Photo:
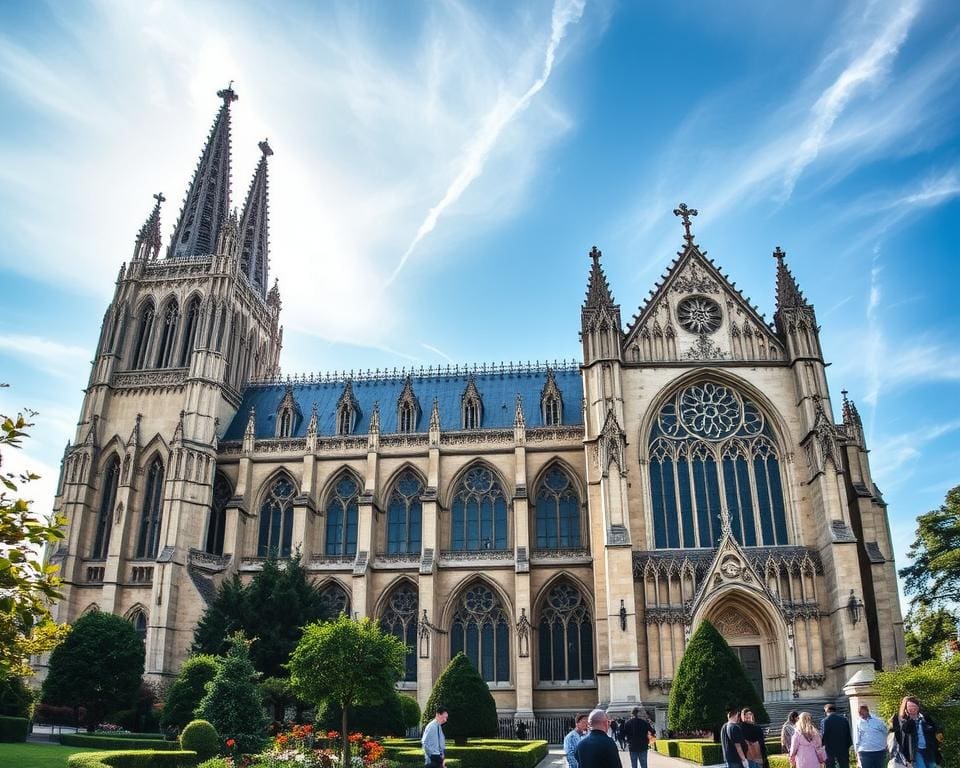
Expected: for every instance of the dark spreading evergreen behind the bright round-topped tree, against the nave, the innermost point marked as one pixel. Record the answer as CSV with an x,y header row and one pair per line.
x,y
272,609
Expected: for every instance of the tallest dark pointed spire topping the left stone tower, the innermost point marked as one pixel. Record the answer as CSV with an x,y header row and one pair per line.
x,y
208,198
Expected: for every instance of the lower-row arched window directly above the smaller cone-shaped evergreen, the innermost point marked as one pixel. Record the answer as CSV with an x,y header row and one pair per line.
x,y
481,630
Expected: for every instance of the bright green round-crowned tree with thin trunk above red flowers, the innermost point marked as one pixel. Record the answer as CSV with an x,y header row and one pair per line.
x,y
347,663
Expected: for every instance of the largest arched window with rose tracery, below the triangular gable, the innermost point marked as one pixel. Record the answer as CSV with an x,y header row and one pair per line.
x,y
713,456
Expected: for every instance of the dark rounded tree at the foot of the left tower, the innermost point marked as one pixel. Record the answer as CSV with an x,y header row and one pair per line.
x,y
99,666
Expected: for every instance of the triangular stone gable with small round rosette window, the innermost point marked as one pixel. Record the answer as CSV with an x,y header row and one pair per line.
x,y
695,313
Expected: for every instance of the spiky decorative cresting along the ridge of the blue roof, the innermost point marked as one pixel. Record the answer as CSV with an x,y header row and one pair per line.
x,y
422,372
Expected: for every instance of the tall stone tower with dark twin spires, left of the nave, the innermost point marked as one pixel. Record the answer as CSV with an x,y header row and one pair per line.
x,y
181,338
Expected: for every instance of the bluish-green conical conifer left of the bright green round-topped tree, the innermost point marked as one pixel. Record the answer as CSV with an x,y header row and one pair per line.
x,y
232,702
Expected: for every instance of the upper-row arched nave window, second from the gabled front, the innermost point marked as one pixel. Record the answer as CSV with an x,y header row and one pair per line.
x,y
479,518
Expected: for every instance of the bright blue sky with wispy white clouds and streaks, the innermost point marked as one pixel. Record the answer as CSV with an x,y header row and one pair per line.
x,y
442,170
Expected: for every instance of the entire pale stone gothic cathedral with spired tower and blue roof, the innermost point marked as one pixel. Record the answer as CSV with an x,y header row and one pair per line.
x,y
566,526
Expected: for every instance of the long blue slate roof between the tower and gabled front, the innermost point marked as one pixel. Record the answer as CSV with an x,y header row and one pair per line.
x,y
498,387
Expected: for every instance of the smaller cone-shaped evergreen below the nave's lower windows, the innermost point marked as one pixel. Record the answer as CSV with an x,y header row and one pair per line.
x,y
473,711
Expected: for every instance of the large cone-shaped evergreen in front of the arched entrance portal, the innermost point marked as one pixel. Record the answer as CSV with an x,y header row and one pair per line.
x,y
709,678
